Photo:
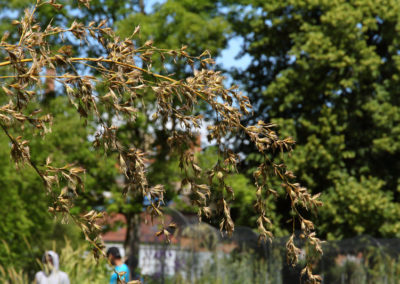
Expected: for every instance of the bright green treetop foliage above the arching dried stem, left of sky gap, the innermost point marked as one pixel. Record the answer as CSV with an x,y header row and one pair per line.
x,y
174,24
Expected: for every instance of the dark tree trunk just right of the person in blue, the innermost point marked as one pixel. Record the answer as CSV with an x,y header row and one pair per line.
x,y
132,242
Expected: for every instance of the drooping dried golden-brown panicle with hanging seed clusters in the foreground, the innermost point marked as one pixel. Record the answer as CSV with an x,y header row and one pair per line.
x,y
127,84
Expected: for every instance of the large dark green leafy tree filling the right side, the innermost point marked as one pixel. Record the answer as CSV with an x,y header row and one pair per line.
x,y
329,72
